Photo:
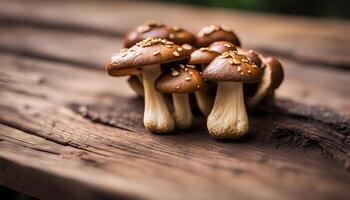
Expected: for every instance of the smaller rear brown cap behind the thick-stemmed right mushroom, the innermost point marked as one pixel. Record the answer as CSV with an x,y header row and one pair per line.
x,y
213,33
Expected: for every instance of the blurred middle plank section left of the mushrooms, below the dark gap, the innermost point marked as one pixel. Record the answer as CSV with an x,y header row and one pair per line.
x,y
58,45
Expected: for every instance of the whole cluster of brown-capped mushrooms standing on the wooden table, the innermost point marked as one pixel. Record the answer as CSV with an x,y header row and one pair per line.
x,y
224,77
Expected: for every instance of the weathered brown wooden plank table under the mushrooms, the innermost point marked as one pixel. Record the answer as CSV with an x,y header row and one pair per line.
x,y
55,101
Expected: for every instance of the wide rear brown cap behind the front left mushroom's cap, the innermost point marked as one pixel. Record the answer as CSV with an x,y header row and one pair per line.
x,y
158,30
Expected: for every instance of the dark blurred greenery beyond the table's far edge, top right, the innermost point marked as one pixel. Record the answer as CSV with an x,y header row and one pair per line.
x,y
317,8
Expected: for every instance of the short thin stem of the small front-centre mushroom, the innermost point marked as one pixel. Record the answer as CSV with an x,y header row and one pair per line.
x,y
182,111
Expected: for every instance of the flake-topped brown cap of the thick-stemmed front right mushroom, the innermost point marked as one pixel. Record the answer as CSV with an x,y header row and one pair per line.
x,y
232,66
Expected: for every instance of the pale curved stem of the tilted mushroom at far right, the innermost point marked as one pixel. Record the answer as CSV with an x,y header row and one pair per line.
x,y
263,89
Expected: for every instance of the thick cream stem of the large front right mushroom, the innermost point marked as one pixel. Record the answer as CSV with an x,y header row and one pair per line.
x,y
228,118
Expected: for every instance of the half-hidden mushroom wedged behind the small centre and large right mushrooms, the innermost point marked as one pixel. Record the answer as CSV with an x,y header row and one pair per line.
x,y
203,57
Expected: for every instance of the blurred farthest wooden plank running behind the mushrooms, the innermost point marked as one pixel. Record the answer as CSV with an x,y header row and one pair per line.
x,y
303,39
